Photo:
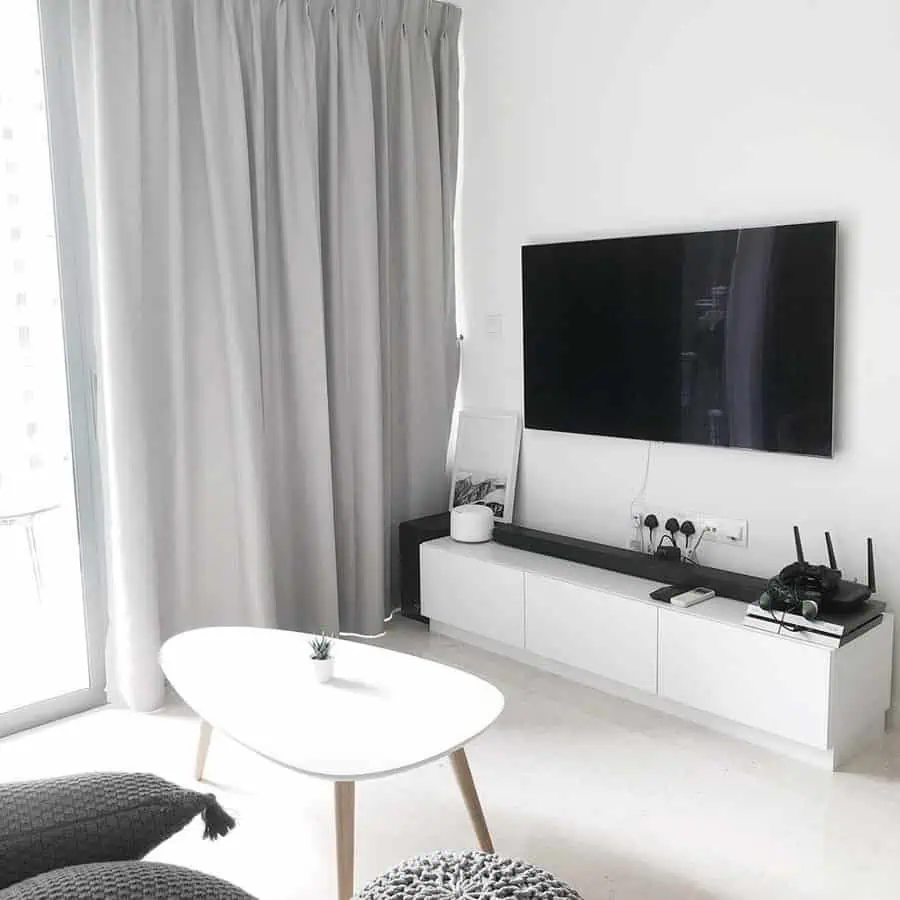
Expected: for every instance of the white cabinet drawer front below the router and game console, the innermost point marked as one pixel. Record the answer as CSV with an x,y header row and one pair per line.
x,y
756,679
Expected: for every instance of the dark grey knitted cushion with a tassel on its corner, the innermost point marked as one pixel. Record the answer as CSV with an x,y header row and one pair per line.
x,y
97,817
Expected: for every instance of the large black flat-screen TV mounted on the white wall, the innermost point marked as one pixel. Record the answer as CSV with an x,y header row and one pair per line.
x,y
723,338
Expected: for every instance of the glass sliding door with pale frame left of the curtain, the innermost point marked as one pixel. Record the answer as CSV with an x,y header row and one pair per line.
x,y
50,577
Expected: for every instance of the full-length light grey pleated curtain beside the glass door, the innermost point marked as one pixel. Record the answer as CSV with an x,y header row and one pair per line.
x,y
269,189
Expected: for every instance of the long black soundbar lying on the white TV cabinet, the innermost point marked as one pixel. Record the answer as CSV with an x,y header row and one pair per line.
x,y
746,588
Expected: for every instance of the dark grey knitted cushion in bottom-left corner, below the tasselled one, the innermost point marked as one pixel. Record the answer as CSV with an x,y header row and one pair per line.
x,y
124,881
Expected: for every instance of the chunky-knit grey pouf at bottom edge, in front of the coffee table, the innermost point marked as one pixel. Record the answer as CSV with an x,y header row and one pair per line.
x,y
465,876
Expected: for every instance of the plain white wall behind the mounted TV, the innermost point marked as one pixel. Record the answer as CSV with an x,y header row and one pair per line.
x,y
588,118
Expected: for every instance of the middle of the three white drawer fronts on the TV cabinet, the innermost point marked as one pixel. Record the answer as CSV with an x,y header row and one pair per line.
x,y
601,633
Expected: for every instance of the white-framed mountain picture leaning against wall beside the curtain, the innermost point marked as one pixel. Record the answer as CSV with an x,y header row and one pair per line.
x,y
486,461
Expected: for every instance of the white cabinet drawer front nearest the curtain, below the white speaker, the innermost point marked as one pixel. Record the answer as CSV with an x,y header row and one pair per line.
x,y
481,597
